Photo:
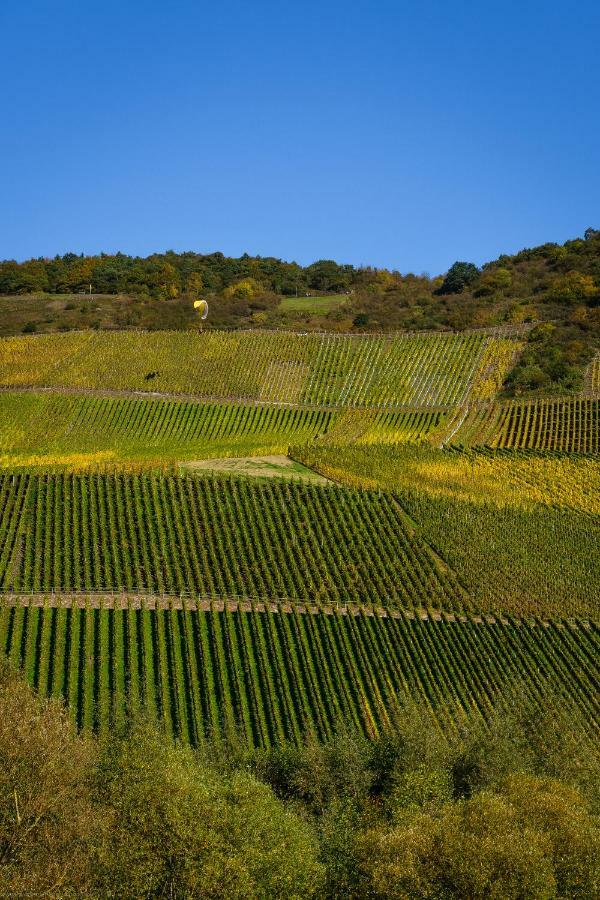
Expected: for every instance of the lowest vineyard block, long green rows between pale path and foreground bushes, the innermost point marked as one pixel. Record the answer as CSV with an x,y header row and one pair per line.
x,y
273,678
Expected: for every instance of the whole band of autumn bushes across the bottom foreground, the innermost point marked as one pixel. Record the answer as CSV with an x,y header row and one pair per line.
x,y
510,811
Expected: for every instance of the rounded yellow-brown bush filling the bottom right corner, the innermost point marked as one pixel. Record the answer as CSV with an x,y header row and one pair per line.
x,y
532,838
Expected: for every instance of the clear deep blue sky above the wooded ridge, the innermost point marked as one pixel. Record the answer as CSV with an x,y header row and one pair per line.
x,y
382,132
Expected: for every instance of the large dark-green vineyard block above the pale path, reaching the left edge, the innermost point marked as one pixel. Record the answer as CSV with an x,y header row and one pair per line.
x,y
214,536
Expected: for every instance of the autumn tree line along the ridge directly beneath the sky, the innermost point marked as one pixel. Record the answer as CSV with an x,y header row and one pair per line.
x,y
576,265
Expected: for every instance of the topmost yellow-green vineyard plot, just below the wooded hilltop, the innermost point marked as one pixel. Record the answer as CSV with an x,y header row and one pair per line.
x,y
333,370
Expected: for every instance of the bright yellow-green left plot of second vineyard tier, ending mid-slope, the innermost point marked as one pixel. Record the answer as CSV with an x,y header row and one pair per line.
x,y
55,429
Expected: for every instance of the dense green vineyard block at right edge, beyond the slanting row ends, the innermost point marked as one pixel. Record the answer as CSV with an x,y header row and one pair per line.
x,y
526,561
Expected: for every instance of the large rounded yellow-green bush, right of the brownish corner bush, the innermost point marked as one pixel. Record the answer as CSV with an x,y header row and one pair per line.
x,y
180,829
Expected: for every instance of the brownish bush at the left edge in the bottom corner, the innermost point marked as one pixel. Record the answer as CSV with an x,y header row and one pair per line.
x,y
49,825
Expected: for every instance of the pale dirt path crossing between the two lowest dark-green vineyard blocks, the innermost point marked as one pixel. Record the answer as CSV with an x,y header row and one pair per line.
x,y
114,600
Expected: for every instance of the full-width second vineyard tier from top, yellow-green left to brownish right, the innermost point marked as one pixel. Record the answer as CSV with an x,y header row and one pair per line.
x,y
82,430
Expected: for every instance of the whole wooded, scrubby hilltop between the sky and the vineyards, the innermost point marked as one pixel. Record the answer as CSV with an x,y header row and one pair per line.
x,y
556,285
